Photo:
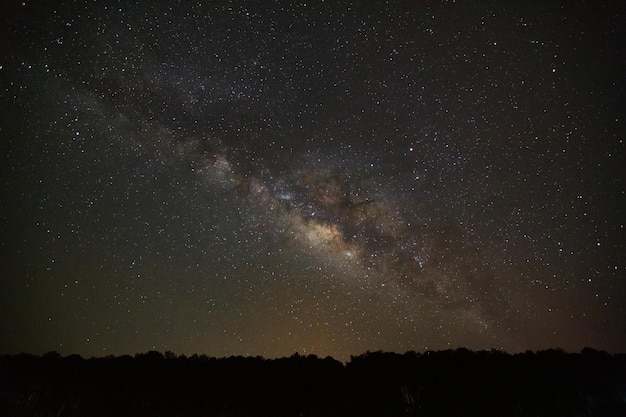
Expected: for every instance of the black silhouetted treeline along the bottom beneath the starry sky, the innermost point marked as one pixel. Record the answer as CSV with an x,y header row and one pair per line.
x,y
449,383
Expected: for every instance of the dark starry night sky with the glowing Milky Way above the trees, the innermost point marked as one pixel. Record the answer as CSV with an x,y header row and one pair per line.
x,y
261,178
